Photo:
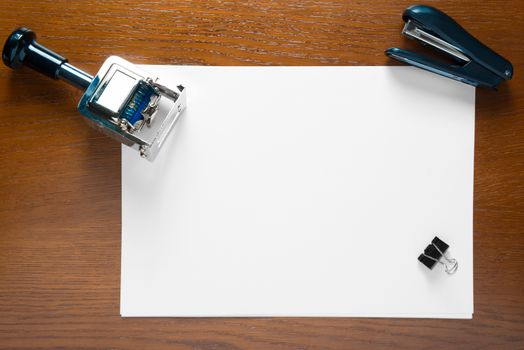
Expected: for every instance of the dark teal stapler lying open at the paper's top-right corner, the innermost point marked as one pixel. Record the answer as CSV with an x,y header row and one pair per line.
x,y
475,63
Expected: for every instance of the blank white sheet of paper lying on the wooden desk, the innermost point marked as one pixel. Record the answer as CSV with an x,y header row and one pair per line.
x,y
303,191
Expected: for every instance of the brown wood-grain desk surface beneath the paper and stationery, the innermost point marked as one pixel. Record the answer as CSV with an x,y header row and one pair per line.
x,y
60,180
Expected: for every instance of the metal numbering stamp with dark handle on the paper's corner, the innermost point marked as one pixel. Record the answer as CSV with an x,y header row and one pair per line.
x,y
122,100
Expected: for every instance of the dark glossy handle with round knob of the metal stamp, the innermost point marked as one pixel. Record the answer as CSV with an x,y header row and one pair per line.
x,y
21,48
